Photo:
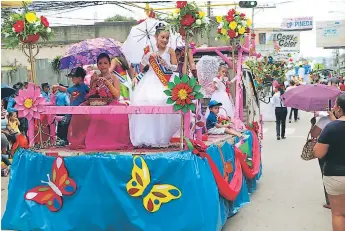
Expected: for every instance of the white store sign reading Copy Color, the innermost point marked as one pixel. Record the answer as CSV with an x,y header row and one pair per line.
x,y
284,41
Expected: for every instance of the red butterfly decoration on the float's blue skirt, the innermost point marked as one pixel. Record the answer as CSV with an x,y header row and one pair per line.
x,y
51,195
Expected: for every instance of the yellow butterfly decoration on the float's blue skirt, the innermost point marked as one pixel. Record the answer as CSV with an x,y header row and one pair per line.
x,y
153,195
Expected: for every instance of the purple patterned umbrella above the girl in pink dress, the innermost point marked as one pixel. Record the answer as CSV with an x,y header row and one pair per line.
x,y
86,52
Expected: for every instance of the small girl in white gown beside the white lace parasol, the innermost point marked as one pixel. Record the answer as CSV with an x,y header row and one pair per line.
x,y
220,95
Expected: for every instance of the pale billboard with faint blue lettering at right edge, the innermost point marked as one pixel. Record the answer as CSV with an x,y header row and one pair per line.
x,y
330,34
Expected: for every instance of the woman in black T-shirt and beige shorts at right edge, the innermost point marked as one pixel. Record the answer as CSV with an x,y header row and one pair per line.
x,y
330,146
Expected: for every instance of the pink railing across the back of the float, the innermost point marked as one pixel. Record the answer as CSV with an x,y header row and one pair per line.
x,y
52,111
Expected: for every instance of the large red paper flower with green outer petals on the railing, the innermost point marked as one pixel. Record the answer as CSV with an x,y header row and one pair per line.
x,y
182,92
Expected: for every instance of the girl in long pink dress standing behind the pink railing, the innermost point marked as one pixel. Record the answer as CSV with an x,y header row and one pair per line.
x,y
101,132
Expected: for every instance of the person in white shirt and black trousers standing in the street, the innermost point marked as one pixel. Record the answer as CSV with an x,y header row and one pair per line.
x,y
280,112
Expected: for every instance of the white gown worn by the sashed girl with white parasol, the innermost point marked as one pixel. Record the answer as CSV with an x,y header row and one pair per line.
x,y
152,130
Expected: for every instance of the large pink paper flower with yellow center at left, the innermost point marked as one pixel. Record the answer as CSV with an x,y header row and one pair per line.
x,y
29,102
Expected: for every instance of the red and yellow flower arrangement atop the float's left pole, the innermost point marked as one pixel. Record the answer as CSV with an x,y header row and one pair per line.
x,y
25,28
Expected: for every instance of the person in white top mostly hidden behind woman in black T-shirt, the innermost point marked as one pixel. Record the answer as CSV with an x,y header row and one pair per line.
x,y
325,118
